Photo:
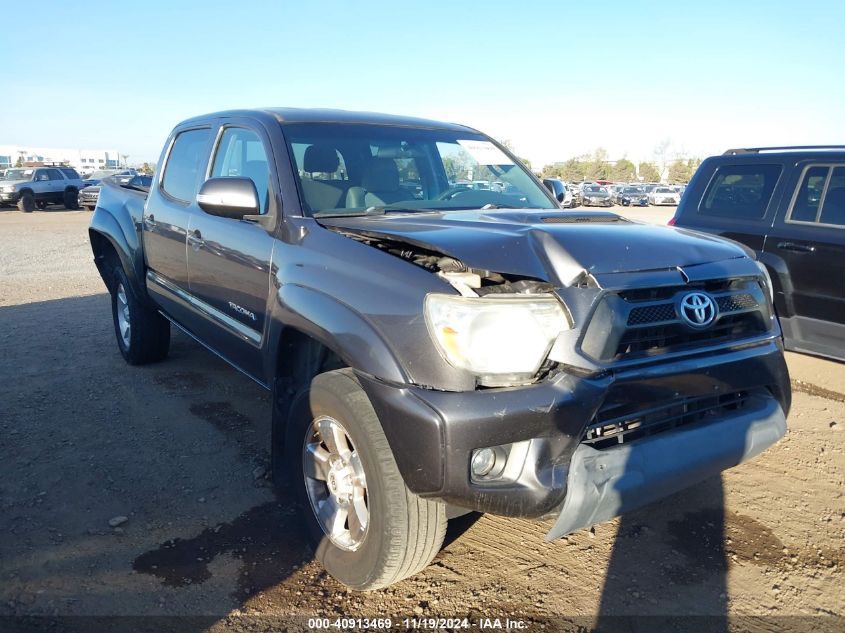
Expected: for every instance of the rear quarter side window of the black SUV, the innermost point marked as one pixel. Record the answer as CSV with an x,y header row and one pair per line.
x,y
741,192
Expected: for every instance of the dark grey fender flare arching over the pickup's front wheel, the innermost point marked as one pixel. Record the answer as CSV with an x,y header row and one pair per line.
x,y
336,326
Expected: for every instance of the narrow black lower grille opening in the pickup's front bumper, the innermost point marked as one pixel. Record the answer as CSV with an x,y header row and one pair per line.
x,y
621,424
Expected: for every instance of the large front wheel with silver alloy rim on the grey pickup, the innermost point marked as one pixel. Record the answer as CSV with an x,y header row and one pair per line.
x,y
403,531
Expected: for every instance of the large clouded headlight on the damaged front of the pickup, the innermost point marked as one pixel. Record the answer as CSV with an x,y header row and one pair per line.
x,y
503,340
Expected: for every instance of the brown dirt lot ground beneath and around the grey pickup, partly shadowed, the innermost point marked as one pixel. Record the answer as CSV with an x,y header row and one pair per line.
x,y
179,449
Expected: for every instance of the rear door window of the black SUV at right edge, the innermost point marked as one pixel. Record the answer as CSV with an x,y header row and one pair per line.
x,y
820,198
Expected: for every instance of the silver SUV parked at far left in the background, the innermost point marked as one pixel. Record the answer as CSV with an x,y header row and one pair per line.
x,y
36,187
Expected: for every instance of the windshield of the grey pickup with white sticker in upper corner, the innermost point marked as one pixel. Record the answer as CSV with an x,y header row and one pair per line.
x,y
345,169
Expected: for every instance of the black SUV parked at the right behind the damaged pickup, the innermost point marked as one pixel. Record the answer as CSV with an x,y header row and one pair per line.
x,y
788,205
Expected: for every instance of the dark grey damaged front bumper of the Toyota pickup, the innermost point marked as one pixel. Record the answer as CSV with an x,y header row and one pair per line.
x,y
433,435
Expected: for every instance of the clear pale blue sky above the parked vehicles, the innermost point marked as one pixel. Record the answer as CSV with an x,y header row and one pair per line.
x,y
558,79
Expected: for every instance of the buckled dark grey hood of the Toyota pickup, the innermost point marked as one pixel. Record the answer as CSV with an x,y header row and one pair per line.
x,y
545,244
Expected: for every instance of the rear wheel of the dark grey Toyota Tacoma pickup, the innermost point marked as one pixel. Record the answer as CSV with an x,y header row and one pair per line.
x,y
143,335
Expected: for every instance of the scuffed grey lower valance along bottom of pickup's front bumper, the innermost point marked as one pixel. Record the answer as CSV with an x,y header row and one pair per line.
x,y
603,484
